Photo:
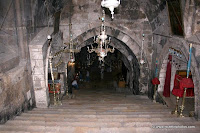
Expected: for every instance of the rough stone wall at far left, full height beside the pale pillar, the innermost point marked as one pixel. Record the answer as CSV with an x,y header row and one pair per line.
x,y
19,23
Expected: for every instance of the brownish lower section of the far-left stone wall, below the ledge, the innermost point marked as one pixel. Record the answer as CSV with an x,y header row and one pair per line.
x,y
16,93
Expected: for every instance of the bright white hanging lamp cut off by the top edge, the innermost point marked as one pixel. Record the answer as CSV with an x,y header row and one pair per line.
x,y
111,4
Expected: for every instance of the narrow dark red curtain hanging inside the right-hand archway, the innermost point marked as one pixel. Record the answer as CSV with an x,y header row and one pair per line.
x,y
166,91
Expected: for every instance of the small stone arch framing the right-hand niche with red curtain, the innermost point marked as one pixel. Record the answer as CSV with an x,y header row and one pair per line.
x,y
184,47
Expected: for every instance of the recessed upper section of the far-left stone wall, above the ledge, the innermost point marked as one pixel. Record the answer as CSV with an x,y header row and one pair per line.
x,y
8,36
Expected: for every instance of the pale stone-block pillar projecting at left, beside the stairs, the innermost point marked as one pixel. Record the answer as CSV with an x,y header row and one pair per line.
x,y
38,54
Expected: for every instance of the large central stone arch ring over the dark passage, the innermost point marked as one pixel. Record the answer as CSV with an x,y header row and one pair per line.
x,y
131,47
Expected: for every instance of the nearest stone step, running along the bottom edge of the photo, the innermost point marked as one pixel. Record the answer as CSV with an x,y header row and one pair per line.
x,y
101,130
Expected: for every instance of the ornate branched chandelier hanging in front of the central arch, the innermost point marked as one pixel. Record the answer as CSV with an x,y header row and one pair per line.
x,y
102,40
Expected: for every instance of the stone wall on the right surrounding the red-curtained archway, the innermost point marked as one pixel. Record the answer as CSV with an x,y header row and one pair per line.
x,y
163,39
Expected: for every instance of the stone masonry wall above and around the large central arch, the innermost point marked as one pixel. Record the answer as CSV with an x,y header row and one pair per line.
x,y
129,23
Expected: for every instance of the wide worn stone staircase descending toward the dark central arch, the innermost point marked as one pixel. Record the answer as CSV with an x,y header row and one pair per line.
x,y
101,111
